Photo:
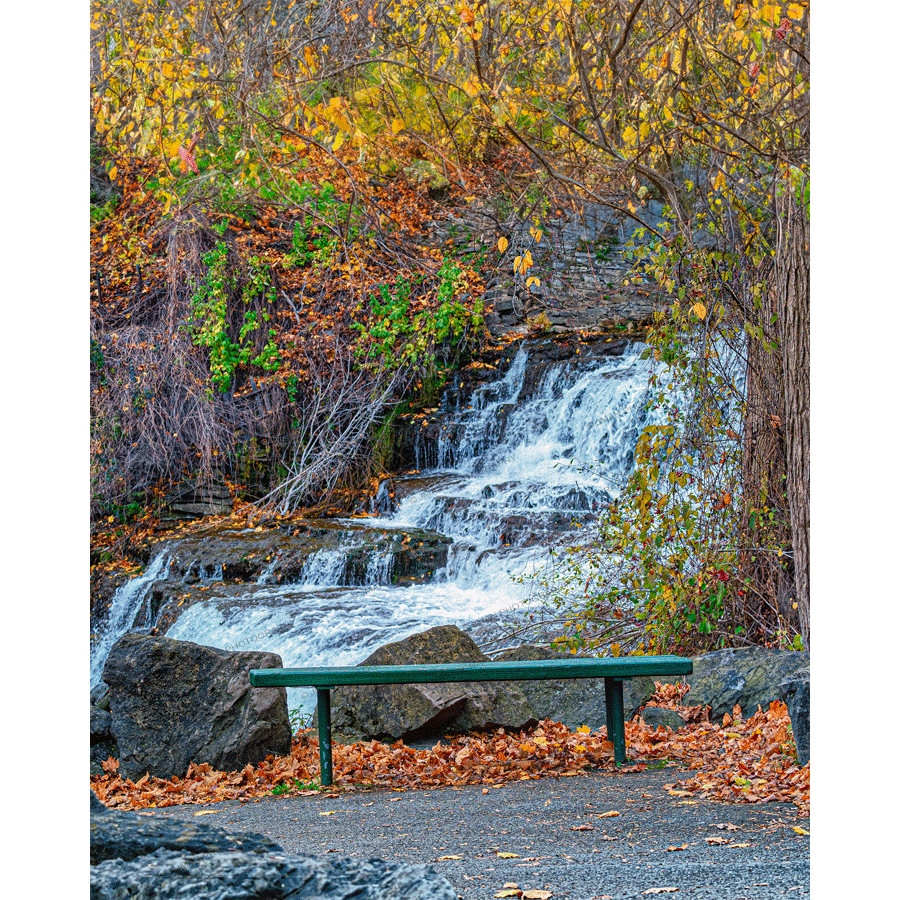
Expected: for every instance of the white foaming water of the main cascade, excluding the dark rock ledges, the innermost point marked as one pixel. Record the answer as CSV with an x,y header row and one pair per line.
x,y
514,470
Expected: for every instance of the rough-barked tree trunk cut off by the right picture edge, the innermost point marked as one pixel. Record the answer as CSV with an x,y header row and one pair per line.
x,y
792,298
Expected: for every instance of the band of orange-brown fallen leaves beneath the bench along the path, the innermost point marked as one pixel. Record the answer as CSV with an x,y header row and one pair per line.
x,y
741,761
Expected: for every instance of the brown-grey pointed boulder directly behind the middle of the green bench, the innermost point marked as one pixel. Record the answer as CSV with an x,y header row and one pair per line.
x,y
417,711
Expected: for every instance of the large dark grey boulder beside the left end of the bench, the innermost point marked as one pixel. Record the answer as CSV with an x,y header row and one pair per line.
x,y
175,702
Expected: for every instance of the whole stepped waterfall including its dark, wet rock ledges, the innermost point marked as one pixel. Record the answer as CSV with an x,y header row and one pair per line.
x,y
516,456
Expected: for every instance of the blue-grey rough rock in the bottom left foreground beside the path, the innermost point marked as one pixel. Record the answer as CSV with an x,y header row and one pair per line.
x,y
158,859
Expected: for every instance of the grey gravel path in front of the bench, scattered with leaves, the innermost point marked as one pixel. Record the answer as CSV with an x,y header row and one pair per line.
x,y
560,835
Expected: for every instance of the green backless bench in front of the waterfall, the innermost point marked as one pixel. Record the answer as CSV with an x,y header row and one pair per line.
x,y
613,671
